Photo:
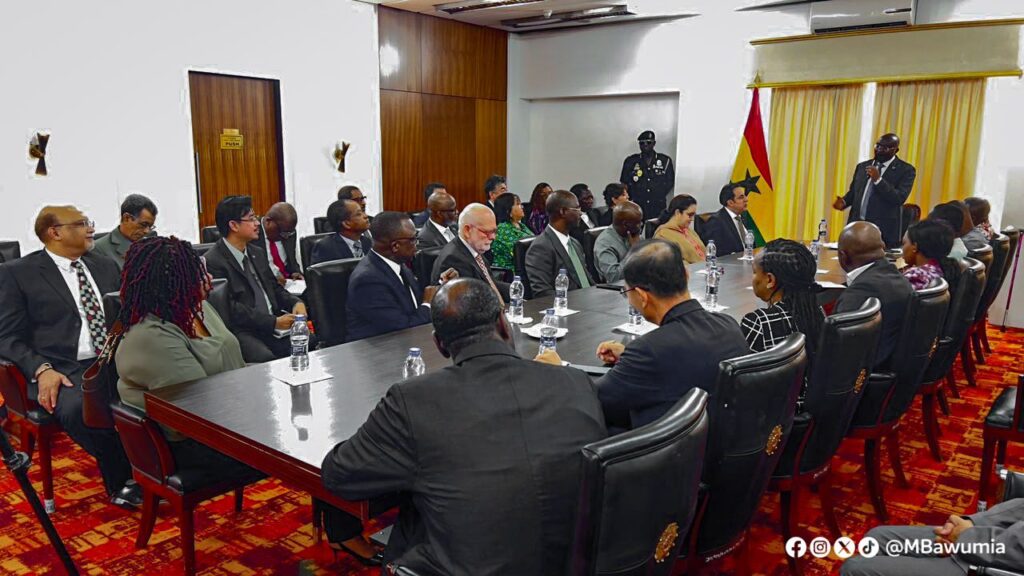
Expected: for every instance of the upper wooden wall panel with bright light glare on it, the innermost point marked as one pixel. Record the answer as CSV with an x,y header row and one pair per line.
x,y
400,36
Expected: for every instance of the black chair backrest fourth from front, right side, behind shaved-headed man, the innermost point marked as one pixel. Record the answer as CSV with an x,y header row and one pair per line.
x,y
923,323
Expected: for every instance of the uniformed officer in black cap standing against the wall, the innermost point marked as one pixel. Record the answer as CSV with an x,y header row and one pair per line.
x,y
650,177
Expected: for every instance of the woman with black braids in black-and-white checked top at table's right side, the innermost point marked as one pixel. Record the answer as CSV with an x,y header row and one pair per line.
x,y
784,277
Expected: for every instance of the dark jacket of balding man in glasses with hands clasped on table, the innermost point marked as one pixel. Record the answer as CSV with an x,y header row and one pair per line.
x,y
659,368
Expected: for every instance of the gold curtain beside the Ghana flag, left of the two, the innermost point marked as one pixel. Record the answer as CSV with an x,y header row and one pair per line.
x,y
815,134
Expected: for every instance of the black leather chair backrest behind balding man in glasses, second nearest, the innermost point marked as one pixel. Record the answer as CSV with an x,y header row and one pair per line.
x,y
752,414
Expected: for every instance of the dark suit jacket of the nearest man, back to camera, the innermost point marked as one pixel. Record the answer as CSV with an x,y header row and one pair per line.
x,y
489,452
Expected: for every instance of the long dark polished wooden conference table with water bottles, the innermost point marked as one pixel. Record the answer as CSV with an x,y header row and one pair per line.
x,y
286,431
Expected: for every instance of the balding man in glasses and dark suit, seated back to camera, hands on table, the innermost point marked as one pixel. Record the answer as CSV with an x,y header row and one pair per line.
x,y
659,368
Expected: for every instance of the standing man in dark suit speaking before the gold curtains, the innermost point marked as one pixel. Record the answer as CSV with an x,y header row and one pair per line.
x,y
879,189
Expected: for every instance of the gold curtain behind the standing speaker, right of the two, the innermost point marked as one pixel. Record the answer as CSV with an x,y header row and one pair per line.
x,y
940,128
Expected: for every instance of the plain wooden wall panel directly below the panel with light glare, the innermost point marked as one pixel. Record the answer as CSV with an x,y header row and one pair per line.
x,y
402,138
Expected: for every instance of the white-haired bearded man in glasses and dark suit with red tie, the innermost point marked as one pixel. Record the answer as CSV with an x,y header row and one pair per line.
x,y
468,255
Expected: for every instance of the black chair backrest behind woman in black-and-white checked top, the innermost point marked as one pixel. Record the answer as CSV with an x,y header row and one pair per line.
x,y
839,374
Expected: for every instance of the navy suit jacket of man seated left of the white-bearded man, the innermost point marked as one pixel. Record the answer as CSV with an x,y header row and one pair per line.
x,y
378,303
